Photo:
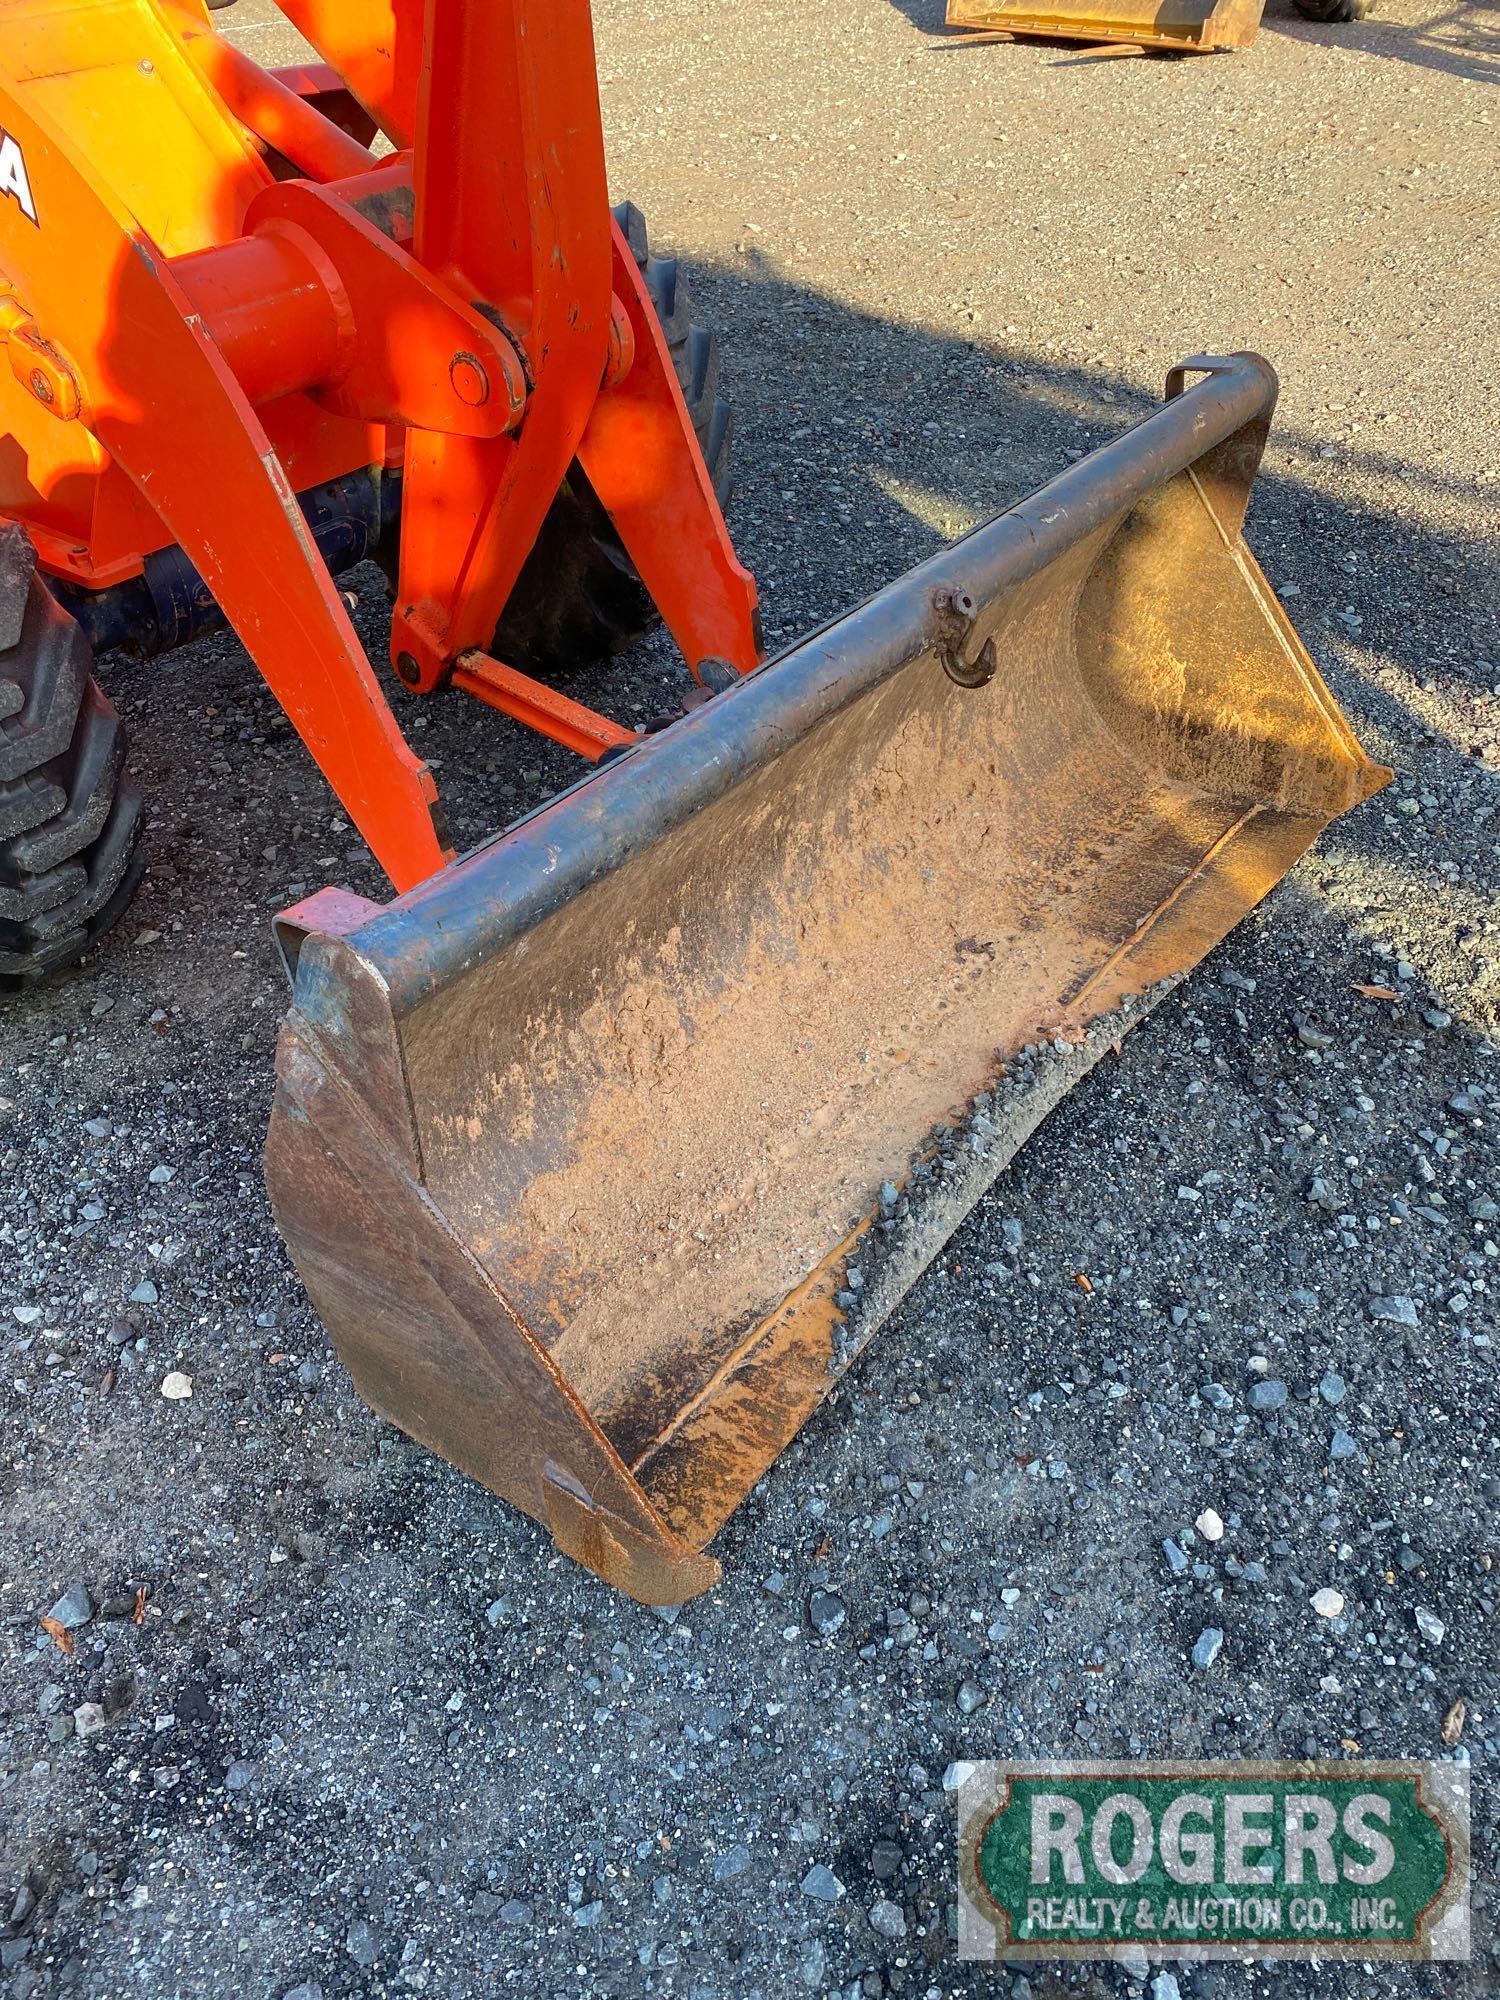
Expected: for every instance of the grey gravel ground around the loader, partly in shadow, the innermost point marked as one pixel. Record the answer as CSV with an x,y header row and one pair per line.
x,y
373,1735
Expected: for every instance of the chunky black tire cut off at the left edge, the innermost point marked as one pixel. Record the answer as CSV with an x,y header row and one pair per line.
x,y
69,809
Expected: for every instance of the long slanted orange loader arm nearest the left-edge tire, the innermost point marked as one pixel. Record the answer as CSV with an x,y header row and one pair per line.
x,y
163,401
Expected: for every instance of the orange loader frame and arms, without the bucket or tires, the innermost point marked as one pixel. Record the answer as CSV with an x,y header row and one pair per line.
x,y
219,297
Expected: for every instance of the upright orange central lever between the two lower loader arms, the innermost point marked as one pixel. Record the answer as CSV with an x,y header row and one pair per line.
x,y
511,209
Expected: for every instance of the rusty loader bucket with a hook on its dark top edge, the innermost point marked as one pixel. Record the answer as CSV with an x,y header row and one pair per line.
x,y
605,1151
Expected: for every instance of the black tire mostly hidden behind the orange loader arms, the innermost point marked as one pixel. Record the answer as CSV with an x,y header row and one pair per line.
x,y
579,597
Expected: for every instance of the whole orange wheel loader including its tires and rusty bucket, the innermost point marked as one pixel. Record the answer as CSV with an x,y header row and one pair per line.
x,y
605,1147
